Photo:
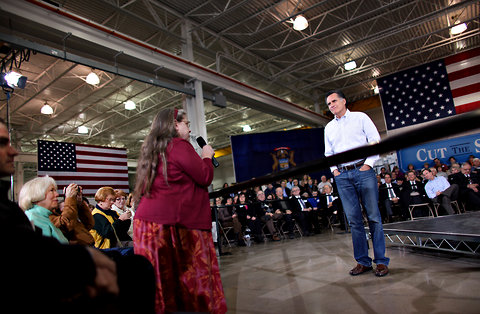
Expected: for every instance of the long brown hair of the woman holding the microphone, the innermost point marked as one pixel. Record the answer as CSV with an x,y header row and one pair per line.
x,y
155,145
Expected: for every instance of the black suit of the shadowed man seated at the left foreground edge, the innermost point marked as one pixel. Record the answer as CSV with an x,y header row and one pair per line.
x,y
30,261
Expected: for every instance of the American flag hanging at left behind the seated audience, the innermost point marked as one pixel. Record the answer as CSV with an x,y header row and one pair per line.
x,y
89,166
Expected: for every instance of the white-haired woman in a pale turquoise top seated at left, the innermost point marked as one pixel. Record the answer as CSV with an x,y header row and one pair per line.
x,y
38,197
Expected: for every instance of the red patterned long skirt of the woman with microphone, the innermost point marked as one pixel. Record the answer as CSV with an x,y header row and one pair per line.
x,y
186,267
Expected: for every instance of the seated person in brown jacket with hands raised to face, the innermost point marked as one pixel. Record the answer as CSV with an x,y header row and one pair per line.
x,y
74,218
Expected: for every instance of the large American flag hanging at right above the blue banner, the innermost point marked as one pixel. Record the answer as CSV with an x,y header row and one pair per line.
x,y
431,91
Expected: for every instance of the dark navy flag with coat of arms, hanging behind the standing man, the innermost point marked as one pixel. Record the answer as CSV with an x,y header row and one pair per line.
x,y
256,155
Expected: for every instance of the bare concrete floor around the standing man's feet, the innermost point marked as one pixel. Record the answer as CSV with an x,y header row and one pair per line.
x,y
310,275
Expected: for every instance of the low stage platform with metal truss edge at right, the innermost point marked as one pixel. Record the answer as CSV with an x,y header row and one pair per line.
x,y
456,233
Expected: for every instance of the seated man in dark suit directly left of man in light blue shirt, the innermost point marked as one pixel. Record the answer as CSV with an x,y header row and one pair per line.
x,y
413,192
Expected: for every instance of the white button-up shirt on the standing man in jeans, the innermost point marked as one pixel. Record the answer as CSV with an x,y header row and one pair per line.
x,y
353,130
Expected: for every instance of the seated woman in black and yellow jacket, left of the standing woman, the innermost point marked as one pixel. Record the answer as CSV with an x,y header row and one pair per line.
x,y
109,228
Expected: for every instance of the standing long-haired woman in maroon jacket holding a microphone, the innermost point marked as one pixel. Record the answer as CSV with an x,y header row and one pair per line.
x,y
172,225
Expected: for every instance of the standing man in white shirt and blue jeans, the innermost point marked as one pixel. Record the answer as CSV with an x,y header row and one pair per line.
x,y
349,130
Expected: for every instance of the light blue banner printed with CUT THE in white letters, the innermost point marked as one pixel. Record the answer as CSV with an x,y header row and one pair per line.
x,y
459,147
